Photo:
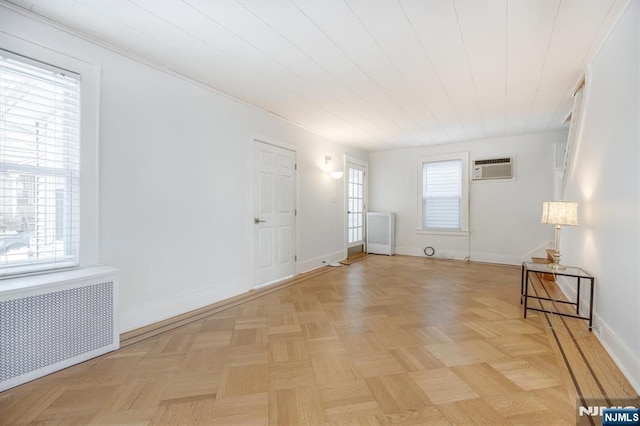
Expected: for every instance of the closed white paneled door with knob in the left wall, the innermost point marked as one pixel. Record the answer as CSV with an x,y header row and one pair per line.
x,y
274,219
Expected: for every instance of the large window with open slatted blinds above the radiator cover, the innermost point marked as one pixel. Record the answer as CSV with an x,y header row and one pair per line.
x,y
39,166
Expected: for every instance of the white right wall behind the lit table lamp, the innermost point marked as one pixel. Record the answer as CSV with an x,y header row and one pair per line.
x,y
606,183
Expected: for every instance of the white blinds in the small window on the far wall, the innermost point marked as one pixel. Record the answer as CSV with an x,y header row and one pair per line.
x,y
442,194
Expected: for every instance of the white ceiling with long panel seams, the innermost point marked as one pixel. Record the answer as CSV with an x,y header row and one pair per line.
x,y
374,74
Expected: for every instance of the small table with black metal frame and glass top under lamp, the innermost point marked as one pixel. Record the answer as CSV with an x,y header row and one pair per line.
x,y
568,271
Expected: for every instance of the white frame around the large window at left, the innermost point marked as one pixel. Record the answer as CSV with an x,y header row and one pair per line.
x,y
89,195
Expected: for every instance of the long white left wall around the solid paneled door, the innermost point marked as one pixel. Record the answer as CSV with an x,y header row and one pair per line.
x,y
175,172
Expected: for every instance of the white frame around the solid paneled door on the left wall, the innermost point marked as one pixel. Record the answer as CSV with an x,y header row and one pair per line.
x,y
251,193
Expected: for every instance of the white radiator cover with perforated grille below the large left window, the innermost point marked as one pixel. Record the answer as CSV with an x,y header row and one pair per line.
x,y
52,321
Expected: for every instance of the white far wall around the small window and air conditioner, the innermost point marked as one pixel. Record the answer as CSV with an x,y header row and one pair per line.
x,y
504,216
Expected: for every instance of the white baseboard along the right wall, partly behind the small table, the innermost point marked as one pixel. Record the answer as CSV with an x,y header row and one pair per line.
x,y
627,361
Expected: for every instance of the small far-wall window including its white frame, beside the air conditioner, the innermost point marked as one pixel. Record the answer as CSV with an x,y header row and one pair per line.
x,y
444,192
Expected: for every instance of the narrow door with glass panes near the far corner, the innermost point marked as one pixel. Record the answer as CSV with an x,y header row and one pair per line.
x,y
355,204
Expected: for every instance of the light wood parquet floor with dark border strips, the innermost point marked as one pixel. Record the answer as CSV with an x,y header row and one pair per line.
x,y
385,340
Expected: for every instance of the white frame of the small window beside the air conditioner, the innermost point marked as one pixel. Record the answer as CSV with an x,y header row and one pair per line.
x,y
464,199
